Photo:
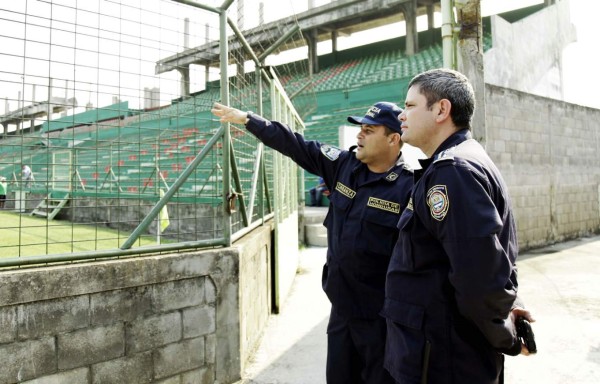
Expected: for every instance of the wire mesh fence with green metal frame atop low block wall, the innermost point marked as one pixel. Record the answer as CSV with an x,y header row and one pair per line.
x,y
107,144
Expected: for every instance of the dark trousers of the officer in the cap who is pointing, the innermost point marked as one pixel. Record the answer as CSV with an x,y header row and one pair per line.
x,y
355,349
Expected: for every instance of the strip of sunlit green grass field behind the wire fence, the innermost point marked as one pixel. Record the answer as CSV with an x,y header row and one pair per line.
x,y
22,235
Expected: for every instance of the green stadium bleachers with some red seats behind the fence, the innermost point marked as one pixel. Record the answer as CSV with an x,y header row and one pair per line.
x,y
129,152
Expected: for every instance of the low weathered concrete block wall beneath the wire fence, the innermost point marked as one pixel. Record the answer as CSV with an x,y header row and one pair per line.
x,y
183,318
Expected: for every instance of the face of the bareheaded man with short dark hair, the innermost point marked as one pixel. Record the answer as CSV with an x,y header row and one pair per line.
x,y
418,121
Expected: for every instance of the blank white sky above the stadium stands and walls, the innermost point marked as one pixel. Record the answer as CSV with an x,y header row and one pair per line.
x,y
122,32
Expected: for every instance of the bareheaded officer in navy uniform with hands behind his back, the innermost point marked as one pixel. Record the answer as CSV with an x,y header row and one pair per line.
x,y
451,288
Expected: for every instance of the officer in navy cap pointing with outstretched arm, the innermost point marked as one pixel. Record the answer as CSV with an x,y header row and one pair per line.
x,y
370,186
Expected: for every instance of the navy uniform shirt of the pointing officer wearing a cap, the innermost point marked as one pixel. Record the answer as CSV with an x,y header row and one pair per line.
x,y
361,221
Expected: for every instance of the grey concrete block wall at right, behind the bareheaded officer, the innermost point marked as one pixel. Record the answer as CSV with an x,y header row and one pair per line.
x,y
547,151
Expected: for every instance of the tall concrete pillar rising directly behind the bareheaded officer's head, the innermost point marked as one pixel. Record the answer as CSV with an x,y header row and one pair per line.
x,y
470,61
